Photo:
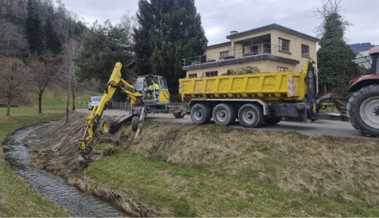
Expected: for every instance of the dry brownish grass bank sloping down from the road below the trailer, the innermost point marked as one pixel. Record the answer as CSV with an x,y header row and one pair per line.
x,y
343,168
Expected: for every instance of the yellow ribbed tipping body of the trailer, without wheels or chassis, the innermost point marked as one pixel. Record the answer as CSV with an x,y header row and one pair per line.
x,y
282,86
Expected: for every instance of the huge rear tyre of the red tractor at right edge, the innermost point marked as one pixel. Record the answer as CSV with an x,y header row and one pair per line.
x,y
363,108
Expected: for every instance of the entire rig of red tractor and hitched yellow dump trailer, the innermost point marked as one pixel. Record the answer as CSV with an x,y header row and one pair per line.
x,y
260,99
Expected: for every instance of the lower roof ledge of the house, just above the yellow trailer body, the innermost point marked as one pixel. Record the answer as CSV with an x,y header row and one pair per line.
x,y
241,60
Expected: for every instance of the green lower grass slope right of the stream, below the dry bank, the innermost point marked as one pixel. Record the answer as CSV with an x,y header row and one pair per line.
x,y
185,190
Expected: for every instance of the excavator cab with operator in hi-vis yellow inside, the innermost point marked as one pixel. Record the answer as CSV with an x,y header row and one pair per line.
x,y
156,95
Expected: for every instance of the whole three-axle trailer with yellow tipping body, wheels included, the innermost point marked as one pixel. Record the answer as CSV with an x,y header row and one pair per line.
x,y
253,99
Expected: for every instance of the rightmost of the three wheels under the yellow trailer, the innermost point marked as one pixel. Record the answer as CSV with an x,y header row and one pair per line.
x,y
250,116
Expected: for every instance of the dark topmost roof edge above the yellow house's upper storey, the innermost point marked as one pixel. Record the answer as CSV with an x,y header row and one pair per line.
x,y
273,27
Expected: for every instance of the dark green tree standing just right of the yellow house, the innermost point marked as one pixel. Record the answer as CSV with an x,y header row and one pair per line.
x,y
335,56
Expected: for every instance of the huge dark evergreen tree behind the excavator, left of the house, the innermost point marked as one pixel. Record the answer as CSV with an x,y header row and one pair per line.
x,y
169,30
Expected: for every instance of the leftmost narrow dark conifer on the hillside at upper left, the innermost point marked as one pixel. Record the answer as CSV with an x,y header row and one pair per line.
x,y
34,32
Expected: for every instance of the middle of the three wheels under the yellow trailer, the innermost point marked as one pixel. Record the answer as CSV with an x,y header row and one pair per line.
x,y
224,114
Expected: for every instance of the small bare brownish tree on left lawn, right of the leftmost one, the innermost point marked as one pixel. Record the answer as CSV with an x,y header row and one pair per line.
x,y
43,70
